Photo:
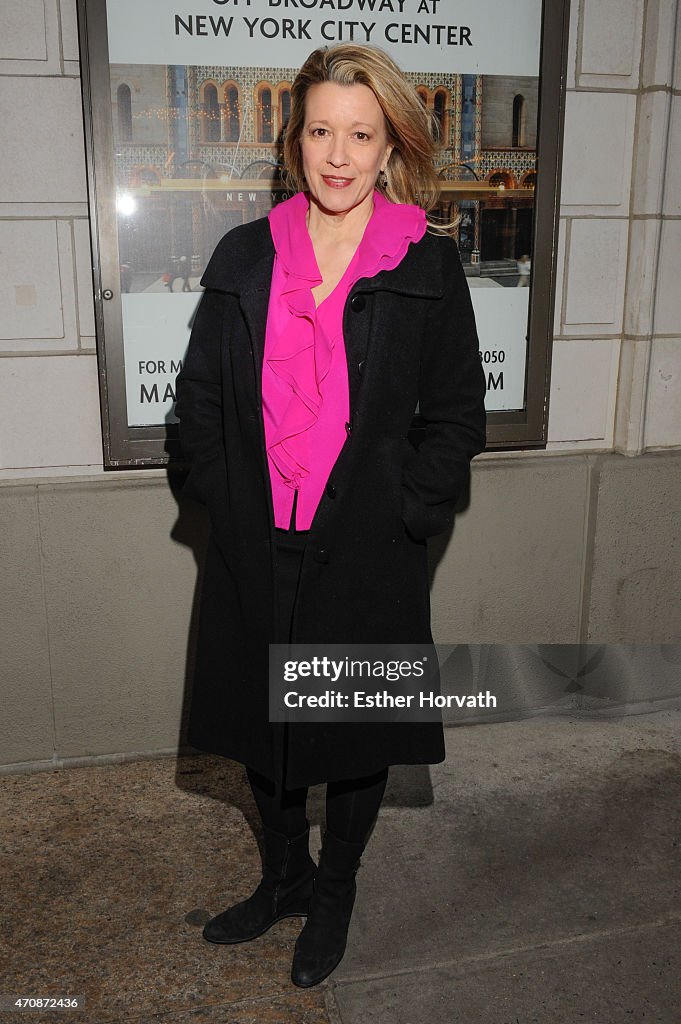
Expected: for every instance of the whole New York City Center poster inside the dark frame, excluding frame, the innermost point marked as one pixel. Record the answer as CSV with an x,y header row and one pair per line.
x,y
200,100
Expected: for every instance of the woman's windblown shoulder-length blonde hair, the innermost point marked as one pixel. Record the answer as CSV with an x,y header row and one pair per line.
x,y
410,176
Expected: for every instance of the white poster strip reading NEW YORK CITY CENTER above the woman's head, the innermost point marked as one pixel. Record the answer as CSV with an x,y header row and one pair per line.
x,y
481,38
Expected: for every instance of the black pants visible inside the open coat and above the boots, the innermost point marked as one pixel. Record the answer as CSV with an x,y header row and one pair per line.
x,y
352,804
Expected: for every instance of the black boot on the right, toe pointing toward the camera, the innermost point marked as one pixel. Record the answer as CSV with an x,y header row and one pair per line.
x,y
322,944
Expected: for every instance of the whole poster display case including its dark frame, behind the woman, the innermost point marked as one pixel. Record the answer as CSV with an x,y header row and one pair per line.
x,y
205,135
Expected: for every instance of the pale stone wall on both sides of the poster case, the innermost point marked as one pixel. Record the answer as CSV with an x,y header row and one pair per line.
x,y
574,544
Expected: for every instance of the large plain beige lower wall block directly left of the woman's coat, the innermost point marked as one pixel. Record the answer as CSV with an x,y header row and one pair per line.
x,y
119,595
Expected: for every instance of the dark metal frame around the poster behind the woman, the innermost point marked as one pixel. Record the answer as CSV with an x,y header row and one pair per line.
x,y
126,447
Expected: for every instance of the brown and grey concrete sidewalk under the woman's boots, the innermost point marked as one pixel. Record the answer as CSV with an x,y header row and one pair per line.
x,y
534,877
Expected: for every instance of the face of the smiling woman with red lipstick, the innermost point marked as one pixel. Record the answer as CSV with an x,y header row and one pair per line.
x,y
345,146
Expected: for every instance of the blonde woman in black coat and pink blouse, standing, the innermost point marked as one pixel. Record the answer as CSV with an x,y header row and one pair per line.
x,y
322,328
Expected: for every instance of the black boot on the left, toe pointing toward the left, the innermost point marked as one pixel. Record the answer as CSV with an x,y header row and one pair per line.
x,y
284,892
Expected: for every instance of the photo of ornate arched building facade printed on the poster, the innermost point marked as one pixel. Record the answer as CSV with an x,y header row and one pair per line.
x,y
206,156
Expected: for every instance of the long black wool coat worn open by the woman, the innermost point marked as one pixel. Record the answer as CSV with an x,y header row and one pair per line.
x,y
410,337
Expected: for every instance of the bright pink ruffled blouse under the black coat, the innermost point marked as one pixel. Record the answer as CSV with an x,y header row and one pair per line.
x,y
306,402
